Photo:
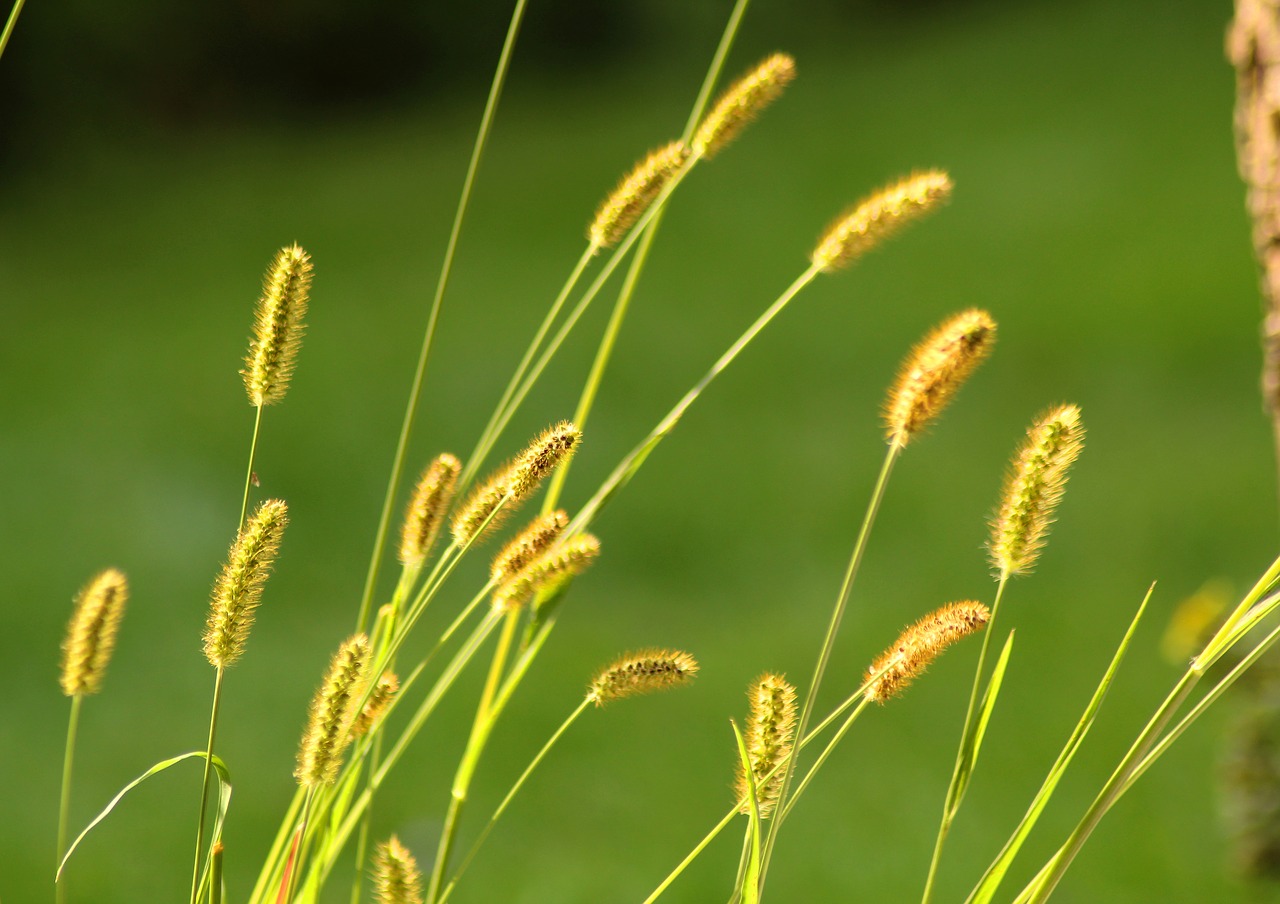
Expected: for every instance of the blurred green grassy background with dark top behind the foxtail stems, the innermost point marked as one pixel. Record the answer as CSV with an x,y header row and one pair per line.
x,y
156,158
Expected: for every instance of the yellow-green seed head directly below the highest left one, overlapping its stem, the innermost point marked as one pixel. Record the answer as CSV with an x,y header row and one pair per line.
x,y
240,586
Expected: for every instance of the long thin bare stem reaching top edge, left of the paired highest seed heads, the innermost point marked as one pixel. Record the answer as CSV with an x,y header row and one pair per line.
x,y
491,108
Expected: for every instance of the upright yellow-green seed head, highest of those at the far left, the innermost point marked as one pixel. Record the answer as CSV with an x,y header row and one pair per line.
x,y
273,351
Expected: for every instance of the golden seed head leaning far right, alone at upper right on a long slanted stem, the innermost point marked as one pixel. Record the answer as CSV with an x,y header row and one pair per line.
x,y
879,217
